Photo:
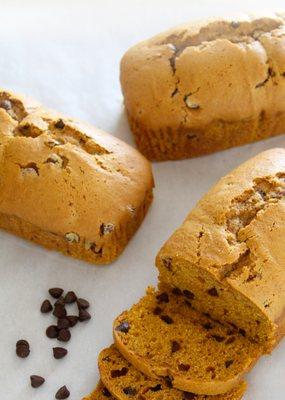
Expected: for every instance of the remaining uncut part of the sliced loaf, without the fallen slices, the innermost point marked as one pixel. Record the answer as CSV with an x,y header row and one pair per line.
x,y
229,254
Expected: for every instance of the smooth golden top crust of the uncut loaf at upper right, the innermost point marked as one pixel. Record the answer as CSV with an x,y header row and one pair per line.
x,y
227,69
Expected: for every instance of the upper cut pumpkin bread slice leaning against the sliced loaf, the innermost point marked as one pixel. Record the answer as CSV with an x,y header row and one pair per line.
x,y
165,338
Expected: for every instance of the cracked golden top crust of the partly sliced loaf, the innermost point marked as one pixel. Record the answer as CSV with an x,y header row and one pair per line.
x,y
235,232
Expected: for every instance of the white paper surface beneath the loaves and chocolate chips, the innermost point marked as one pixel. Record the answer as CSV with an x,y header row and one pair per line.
x,y
66,54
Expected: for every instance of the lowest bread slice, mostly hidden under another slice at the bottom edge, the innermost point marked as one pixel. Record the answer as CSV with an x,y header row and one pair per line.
x,y
124,381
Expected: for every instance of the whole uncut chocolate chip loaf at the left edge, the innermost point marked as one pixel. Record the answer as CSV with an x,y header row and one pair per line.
x,y
66,185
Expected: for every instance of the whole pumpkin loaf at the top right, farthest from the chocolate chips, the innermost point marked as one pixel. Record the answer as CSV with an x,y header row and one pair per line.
x,y
204,87
